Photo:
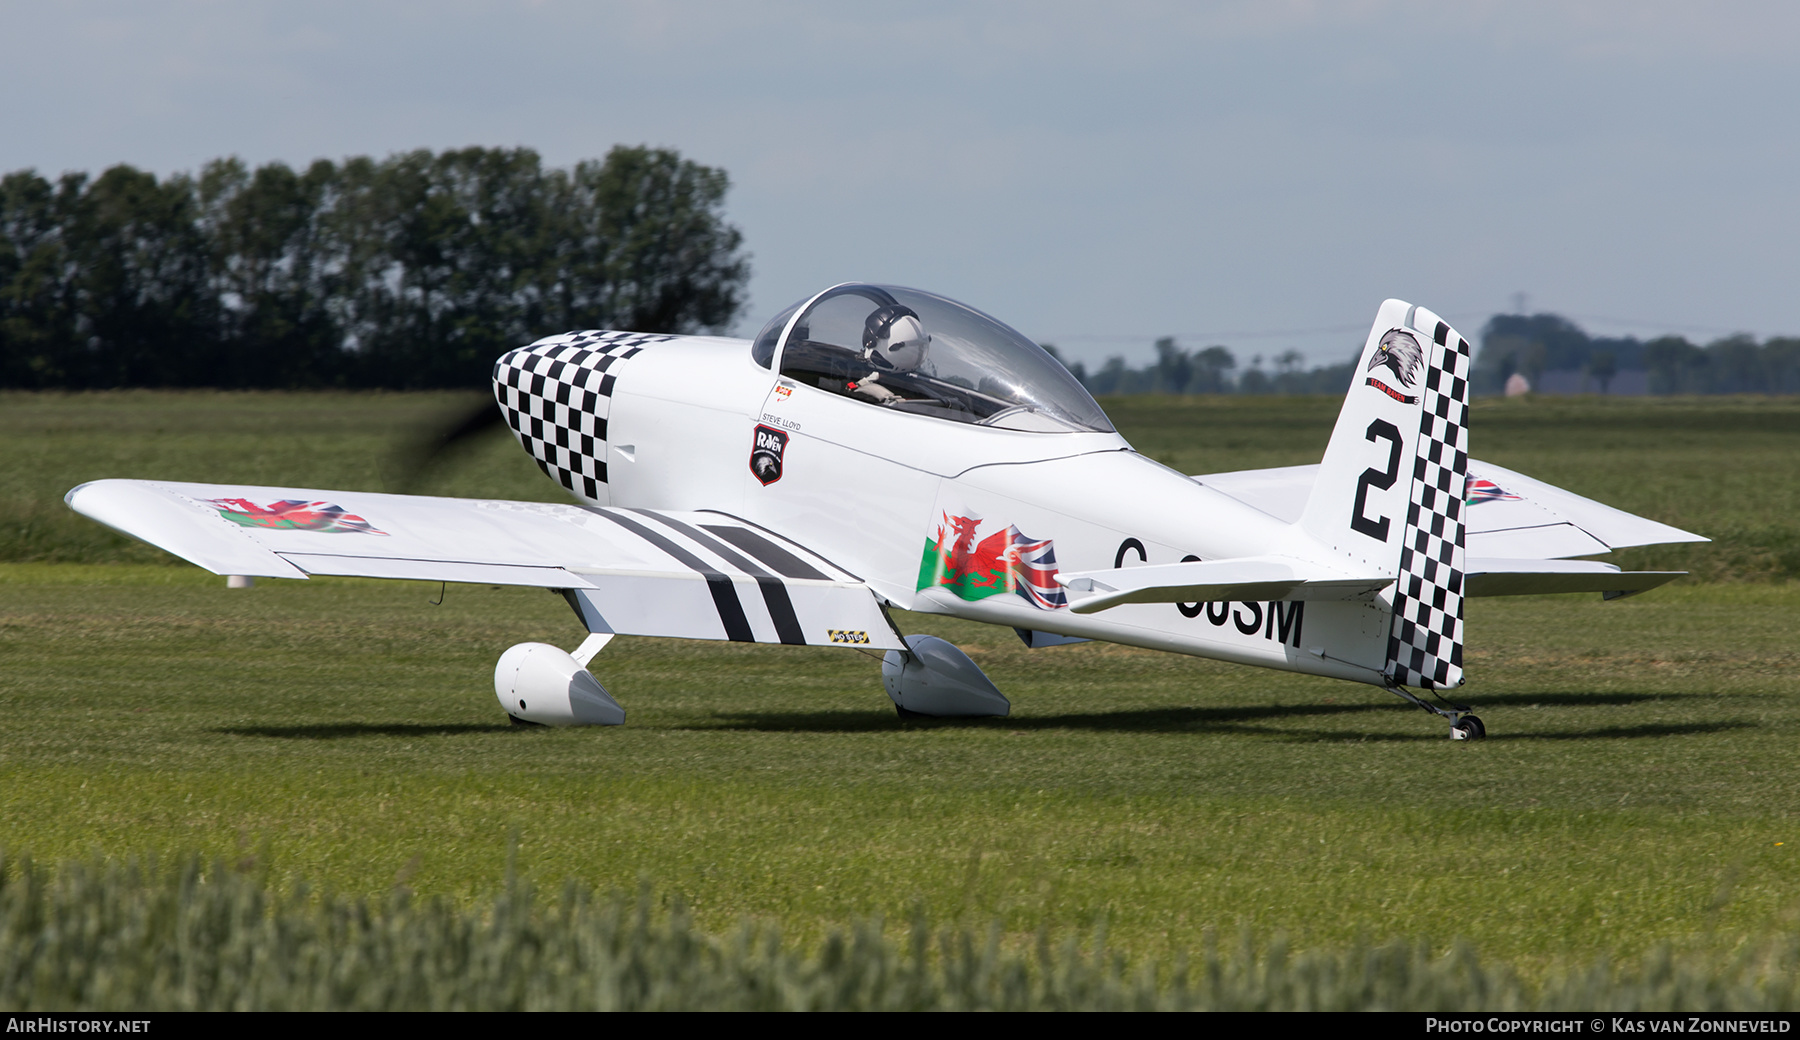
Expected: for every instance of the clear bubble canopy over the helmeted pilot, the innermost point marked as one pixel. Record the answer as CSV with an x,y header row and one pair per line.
x,y
928,355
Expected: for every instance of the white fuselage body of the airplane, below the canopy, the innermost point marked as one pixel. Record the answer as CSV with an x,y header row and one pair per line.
x,y
937,516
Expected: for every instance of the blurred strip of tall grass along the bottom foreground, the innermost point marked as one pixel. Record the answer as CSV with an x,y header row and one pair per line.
x,y
98,937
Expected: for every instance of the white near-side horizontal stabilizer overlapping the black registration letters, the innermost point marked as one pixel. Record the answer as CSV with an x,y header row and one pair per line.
x,y
1248,580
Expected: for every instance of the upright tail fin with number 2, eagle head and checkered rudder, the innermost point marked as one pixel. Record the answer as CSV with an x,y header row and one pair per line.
x,y
1390,490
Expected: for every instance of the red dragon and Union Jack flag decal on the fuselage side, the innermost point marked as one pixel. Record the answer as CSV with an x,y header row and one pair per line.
x,y
975,568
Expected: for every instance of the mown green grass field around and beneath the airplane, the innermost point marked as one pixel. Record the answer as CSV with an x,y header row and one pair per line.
x,y
1632,793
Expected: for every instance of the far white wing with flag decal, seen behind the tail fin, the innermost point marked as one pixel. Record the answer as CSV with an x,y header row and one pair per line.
x,y
1511,516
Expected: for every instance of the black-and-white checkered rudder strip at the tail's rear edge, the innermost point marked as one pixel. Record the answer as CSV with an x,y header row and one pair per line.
x,y
1425,649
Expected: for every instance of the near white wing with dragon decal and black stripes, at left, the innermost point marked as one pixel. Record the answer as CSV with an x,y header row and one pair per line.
x,y
627,571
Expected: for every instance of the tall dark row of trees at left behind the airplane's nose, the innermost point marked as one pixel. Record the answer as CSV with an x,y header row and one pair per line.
x,y
415,271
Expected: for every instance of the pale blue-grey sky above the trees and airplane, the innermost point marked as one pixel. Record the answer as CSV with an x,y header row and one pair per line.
x,y
1259,175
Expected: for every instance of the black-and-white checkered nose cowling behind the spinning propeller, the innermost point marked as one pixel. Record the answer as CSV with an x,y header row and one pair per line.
x,y
557,397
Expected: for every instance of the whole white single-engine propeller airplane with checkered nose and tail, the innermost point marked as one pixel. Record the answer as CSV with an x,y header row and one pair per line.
x,y
885,447
